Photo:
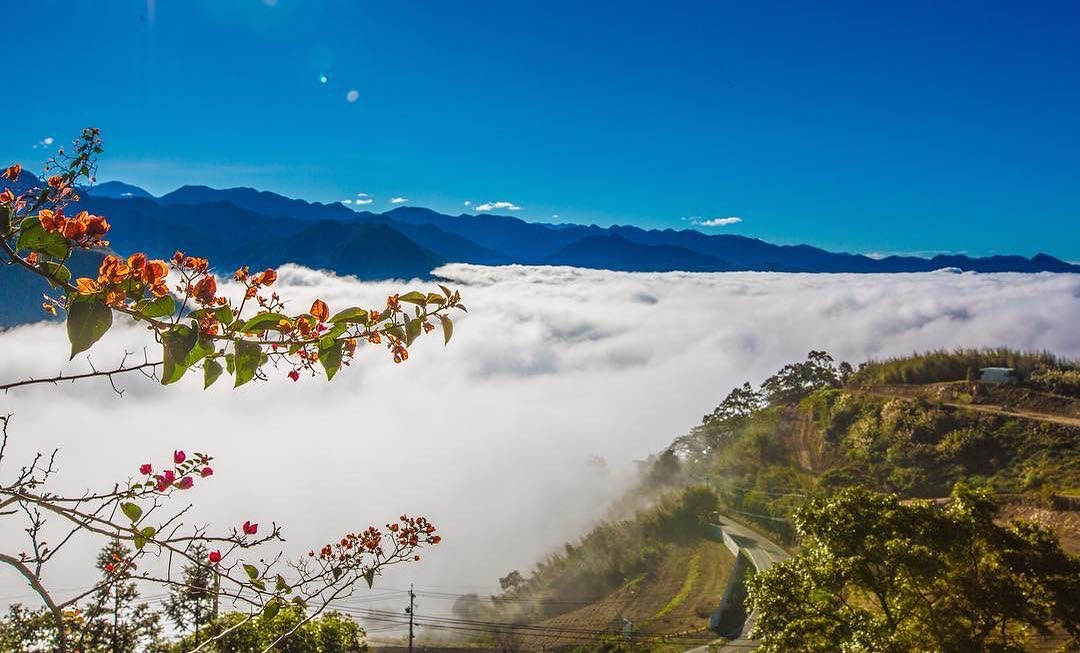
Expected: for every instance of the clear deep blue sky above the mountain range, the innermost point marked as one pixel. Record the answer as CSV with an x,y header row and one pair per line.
x,y
868,127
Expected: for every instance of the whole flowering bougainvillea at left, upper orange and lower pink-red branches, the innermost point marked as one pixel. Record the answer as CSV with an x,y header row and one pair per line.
x,y
200,332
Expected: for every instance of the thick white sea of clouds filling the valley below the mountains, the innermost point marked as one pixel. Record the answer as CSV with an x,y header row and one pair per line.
x,y
497,437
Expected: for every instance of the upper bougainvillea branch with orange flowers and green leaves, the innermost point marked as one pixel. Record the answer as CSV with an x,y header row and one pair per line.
x,y
179,300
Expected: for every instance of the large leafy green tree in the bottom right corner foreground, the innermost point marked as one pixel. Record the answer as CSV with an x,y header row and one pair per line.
x,y
876,575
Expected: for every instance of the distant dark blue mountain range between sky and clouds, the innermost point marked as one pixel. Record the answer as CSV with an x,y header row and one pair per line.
x,y
244,226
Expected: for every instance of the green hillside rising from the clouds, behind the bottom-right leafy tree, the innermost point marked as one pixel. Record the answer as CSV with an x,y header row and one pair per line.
x,y
913,427
